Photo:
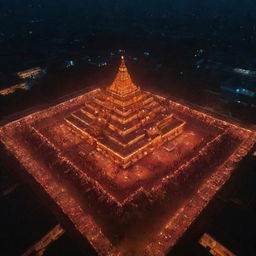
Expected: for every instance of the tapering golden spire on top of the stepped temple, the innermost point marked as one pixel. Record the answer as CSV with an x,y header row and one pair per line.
x,y
122,85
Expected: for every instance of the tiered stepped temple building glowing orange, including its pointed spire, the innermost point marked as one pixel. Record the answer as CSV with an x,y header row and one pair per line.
x,y
125,122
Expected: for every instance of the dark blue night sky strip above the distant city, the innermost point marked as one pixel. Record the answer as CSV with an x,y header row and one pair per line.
x,y
14,15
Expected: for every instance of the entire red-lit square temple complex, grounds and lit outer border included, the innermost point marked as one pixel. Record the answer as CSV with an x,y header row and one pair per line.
x,y
125,169
